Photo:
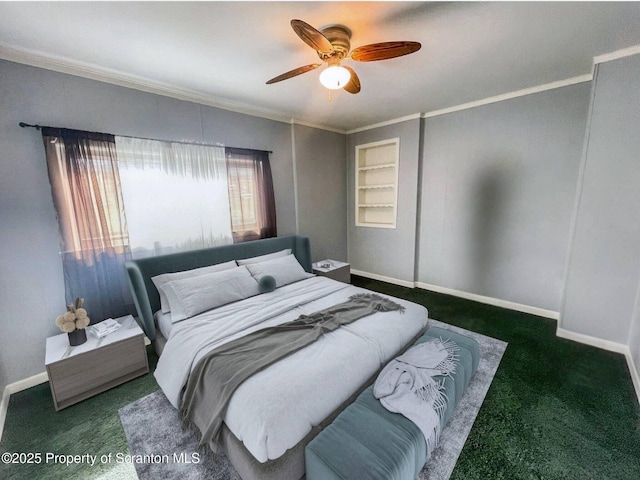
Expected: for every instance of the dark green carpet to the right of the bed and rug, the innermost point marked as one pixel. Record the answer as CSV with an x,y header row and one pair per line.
x,y
556,409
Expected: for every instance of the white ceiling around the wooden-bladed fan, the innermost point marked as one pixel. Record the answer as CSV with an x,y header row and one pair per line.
x,y
222,53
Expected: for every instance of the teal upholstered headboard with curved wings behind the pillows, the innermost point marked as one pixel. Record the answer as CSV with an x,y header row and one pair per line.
x,y
146,296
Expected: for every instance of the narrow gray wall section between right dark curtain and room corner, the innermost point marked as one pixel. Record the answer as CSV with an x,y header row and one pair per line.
x,y
320,166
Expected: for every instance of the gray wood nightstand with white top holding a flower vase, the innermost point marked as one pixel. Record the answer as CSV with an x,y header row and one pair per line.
x,y
77,373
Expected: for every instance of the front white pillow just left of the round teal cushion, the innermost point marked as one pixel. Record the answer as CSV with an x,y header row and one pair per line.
x,y
190,296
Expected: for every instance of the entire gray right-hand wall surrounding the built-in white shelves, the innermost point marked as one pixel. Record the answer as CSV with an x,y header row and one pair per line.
x,y
533,200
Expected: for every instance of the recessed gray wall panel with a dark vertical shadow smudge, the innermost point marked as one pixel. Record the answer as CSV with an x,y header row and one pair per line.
x,y
497,193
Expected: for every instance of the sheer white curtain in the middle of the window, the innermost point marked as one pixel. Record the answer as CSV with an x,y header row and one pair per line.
x,y
176,195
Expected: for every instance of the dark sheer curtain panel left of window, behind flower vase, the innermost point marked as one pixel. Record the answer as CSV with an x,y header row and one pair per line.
x,y
85,187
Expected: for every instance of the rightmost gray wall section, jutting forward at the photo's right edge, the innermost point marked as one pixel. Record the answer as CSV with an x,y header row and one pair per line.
x,y
604,270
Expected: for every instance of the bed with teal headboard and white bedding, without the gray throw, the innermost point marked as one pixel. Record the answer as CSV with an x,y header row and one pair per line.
x,y
275,413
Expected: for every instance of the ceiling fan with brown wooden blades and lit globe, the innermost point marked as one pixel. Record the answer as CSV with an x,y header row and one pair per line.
x,y
332,45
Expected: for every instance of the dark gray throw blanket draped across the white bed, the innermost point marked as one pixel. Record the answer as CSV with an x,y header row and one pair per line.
x,y
220,372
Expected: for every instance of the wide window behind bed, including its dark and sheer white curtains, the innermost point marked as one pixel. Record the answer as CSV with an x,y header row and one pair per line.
x,y
118,196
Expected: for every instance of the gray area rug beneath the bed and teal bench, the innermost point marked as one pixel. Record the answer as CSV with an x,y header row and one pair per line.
x,y
153,429
